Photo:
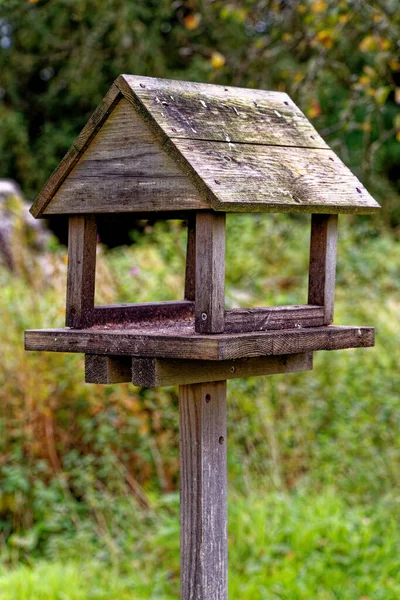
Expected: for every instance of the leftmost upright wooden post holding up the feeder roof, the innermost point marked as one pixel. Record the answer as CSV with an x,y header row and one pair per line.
x,y
82,240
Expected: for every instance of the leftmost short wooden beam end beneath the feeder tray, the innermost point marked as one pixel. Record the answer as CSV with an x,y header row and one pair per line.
x,y
107,369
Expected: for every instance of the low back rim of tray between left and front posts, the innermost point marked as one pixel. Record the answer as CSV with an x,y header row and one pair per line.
x,y
144,312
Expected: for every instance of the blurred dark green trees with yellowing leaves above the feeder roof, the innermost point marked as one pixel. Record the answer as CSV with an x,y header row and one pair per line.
x,y
339,60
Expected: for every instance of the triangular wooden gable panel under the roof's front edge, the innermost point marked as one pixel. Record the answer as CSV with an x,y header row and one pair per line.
x,y
125,169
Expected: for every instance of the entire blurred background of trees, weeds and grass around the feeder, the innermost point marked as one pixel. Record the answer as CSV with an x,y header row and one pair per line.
x,y
314,459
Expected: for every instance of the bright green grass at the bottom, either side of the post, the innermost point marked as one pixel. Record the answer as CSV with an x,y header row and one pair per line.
x,y
281,547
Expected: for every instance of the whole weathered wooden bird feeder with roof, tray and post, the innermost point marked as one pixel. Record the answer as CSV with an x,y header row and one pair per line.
x,y
196,152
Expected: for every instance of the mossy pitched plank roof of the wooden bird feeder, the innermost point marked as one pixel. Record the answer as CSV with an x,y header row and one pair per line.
x,y
243,150
